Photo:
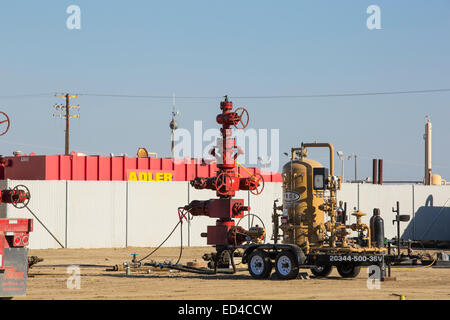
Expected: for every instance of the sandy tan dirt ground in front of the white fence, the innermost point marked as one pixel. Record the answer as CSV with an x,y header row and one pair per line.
x,y
97,283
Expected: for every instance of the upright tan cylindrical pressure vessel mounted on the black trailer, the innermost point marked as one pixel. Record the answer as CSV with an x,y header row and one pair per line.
x,y
303,221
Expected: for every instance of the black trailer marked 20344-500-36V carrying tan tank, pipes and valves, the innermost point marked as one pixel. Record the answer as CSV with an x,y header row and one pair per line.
x,y
312,229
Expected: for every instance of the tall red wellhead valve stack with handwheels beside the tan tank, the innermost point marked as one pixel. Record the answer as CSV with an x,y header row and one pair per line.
x,y
225,235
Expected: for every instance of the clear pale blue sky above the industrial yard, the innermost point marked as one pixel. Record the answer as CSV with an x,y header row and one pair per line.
x,y
239,48
